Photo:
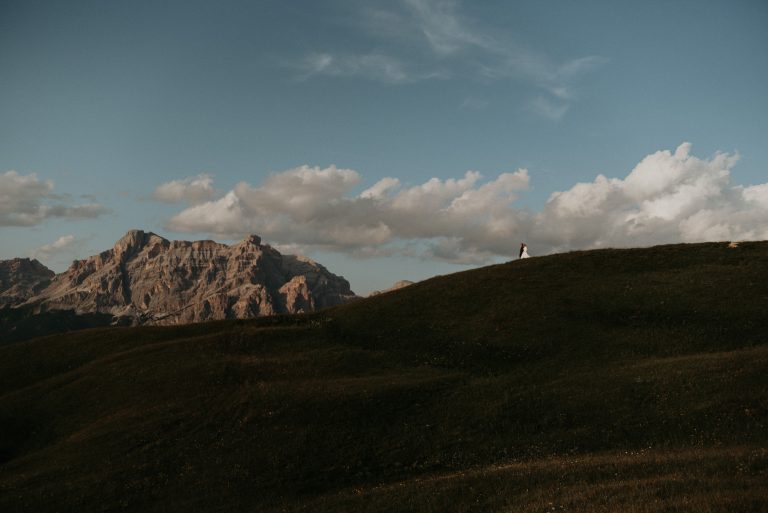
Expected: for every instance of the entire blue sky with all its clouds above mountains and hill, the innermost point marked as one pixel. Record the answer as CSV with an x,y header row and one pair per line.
x,y
388,140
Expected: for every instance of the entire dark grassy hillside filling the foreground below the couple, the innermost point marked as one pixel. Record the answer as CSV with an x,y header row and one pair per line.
x,y
613,380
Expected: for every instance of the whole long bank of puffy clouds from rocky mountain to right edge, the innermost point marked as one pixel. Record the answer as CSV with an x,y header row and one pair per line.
x,y
668,197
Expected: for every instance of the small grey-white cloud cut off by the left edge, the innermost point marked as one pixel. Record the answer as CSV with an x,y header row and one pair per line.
x,y
27,201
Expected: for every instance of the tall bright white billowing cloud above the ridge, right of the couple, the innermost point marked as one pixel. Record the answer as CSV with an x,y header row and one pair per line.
x,y
668,197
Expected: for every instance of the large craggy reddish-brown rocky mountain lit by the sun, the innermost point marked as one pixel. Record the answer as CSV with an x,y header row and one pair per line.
x,y
151,280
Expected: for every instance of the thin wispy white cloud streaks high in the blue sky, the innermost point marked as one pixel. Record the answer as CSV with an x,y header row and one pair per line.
x,y
434,35
